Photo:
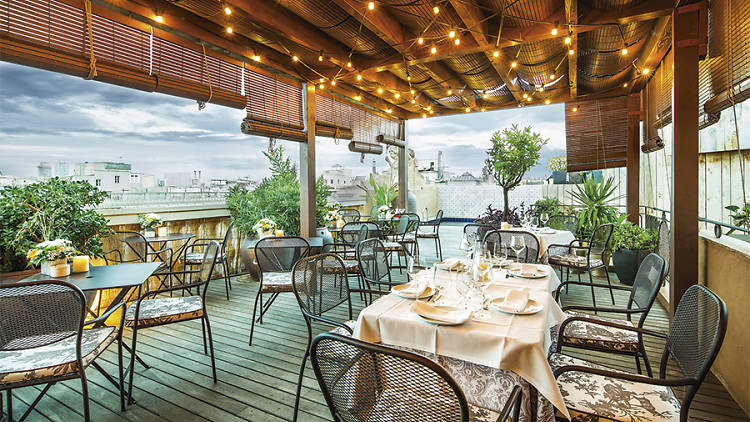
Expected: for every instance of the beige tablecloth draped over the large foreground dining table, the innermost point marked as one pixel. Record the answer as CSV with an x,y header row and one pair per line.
x,y
518,343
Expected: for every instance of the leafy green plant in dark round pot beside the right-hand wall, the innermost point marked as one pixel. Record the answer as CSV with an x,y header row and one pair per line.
x,y
630,245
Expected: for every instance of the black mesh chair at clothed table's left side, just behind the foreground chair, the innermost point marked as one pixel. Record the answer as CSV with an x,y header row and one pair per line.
x,y
320,285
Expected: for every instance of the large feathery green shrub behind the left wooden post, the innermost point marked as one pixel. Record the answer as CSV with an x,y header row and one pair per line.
x,y
277,197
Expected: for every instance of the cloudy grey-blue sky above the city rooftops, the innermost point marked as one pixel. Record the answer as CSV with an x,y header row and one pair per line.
x,y
46,116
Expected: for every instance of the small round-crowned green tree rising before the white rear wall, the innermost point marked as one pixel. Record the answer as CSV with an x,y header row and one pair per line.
x,y
513,152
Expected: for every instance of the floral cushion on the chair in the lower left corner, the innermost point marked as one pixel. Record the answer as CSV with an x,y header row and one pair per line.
x,y
54,359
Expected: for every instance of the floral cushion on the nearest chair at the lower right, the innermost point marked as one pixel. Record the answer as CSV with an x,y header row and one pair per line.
x,y
596,398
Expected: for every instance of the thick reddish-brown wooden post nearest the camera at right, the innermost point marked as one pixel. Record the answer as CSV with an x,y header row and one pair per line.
x,y
684,224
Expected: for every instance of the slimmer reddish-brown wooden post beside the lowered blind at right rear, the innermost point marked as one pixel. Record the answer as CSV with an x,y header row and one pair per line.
x,y
633,157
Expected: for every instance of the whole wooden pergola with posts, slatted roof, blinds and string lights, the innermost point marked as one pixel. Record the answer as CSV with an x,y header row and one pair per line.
x,y
341,67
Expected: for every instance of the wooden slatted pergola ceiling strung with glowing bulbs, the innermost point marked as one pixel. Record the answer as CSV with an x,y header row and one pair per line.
x,y
505,48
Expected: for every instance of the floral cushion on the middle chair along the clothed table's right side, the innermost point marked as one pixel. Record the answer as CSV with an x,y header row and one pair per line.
x,y
591,335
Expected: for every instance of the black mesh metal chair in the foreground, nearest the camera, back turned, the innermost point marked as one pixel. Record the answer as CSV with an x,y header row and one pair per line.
x,y
368,382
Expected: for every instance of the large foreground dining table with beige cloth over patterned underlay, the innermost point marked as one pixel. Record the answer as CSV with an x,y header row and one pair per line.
x,y
487,356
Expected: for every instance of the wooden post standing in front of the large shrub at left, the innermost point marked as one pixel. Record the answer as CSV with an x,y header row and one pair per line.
x,y
307,167
